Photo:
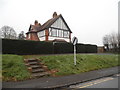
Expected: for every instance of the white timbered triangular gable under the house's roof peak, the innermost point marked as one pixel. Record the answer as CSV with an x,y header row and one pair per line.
x,y
60,24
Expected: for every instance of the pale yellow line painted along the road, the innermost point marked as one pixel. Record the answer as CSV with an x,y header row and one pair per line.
x,y
95,82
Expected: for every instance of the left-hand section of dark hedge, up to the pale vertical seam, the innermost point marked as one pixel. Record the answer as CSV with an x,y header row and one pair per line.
x,y
26,47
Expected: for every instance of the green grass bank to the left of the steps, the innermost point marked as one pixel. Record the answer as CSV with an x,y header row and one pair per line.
x,y
13,68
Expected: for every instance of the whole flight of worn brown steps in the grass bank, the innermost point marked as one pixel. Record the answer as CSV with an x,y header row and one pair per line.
x,y
36,68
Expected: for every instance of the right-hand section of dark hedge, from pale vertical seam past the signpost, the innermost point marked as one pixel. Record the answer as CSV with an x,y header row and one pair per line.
x,y
60,48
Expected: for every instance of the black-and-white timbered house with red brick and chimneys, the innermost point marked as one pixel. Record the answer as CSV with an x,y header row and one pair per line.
x,y
55,29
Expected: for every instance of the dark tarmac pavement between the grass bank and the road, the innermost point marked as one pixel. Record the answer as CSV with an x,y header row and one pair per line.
x,y
63,81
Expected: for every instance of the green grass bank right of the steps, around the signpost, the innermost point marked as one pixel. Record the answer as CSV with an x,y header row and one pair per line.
x,y
64,64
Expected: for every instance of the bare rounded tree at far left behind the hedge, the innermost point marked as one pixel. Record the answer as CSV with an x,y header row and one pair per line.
x,y
8,32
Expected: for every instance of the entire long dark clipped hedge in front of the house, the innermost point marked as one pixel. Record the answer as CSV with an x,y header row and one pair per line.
x,y
27,47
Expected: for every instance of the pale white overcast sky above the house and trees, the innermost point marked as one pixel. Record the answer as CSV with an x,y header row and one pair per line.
x,y
89,20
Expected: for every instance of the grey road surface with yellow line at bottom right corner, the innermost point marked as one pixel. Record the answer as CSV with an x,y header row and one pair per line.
x,y
106,82
